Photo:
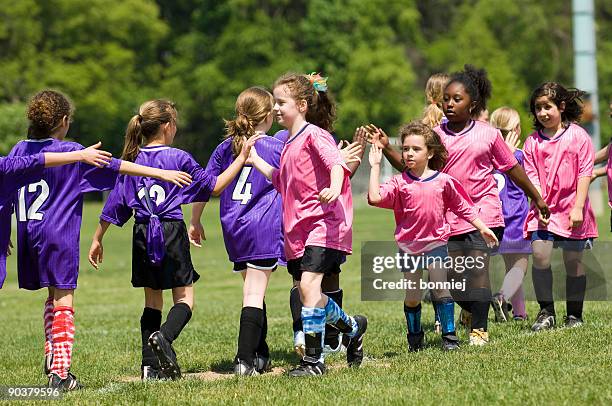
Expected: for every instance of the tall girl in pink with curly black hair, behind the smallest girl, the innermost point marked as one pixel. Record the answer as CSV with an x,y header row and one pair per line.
x,y
475,150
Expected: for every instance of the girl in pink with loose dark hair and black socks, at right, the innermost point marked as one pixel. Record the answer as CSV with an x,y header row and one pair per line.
x,y
559,159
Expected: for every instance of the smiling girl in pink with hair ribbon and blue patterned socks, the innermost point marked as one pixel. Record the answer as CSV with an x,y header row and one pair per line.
x,y
313,181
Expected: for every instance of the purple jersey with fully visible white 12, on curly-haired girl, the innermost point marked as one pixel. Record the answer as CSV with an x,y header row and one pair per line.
x,y
49,216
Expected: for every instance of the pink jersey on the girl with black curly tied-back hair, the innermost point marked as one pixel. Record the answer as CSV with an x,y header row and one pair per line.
x,y
473,156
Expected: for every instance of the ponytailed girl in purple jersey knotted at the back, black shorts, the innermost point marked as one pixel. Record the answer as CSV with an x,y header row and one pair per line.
x,y
160,250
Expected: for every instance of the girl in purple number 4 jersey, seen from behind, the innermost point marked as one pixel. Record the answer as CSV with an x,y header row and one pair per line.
x,y
251,214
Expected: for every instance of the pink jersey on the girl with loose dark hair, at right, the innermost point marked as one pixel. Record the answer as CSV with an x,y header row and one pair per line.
x,y
554,165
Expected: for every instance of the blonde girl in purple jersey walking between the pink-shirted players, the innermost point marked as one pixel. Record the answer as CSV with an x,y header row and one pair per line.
x,y
514,248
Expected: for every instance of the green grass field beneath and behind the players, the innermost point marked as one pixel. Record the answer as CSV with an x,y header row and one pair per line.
x,y
561,366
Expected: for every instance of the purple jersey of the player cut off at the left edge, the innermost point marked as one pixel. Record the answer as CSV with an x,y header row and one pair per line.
x,y
14,173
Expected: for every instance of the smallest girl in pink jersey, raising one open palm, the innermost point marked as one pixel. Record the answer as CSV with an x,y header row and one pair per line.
x,y
420,197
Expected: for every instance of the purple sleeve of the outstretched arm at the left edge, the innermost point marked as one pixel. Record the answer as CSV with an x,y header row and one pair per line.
x,y
19,171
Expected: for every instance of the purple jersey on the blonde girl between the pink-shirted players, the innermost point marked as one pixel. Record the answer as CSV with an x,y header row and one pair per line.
x,y
515,208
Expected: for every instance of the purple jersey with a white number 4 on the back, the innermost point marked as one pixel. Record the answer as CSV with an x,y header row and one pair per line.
x,y
250,209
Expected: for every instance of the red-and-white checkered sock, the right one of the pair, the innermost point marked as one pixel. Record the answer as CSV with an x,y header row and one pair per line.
x,y
63,338
